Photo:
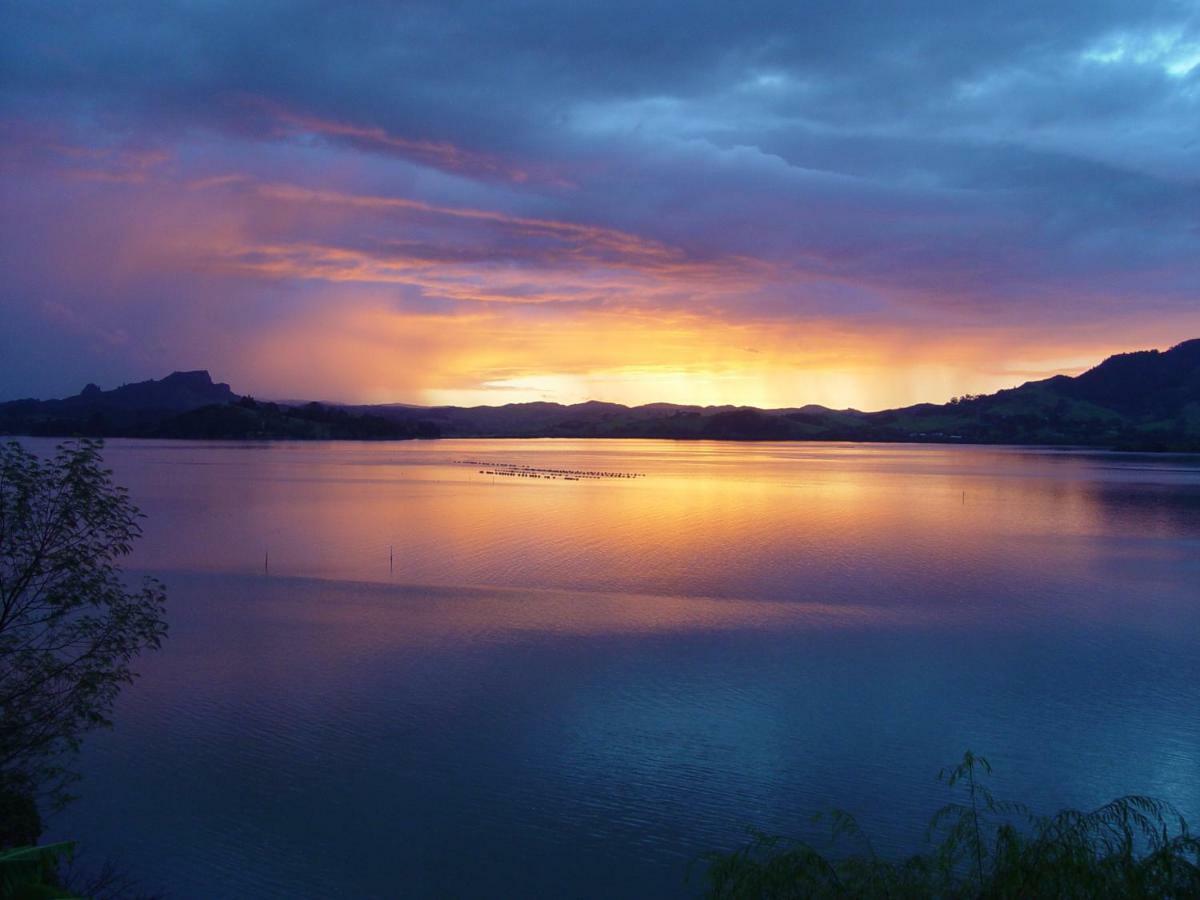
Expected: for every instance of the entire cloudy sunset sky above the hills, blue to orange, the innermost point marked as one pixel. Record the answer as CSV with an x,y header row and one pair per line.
x,y
859,205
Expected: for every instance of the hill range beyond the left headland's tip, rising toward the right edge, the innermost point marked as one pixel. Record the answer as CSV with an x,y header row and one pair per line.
x,y
1147,401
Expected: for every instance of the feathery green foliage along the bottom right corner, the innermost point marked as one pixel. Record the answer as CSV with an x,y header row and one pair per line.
x,y
981,848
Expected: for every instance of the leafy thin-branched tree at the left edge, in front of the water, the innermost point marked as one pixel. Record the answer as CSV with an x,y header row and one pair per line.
x,y
70,626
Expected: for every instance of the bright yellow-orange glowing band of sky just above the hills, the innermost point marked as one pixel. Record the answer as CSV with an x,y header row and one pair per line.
x,y
491,358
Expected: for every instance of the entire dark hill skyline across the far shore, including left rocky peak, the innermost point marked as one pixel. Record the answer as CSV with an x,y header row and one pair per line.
x,y
1136,401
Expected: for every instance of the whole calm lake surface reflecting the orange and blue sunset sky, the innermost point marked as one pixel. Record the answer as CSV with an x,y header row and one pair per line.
x,y
392,674
